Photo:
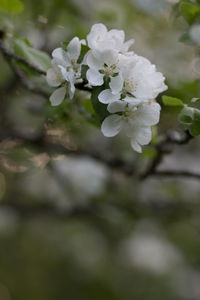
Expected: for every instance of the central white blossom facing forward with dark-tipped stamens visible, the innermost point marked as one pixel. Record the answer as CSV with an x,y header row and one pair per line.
x,y
104,63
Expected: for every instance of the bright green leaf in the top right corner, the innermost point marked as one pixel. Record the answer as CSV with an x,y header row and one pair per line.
x,y
189,11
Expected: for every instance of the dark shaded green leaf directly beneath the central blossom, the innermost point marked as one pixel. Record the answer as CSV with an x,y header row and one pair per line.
x,y
99,108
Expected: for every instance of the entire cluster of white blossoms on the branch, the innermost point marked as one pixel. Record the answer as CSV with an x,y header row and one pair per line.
x,y
129,83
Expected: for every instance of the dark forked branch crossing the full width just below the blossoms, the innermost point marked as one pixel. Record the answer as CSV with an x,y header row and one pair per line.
x,y
44,144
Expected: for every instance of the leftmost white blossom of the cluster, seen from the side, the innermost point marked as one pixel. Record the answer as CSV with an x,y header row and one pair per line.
x,y
65,68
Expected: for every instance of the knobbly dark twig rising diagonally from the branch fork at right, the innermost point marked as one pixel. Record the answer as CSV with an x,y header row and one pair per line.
x,y
165,147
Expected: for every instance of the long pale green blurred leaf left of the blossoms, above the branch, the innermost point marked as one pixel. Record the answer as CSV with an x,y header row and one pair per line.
x,y
38,58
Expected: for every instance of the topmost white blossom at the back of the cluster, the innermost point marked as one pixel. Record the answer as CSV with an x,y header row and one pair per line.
x,y
101,39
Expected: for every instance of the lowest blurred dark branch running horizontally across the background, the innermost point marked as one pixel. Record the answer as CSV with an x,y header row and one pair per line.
x,y
153,207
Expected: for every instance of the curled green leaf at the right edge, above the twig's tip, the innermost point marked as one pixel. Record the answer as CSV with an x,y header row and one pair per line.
x,y
190,118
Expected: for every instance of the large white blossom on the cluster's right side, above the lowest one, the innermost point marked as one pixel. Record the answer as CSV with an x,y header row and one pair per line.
x,y
140,81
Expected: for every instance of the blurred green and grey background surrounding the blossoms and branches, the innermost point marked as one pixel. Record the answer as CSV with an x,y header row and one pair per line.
x,y
72,224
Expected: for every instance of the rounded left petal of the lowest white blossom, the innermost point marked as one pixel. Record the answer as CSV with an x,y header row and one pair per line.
x,y
112,125
